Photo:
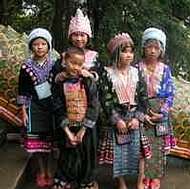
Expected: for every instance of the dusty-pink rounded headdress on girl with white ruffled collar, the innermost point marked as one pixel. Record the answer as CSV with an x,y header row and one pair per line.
x,y
119,39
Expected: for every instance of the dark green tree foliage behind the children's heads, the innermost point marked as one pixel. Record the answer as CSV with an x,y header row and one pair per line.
x,y
108,18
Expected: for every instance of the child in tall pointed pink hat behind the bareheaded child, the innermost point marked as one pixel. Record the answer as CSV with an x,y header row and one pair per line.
x,y
79,35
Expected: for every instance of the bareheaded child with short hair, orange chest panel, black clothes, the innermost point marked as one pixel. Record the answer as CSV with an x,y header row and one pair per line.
x,y
76,110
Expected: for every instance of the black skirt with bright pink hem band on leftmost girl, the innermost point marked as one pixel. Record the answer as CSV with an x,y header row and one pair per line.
x,y
37,135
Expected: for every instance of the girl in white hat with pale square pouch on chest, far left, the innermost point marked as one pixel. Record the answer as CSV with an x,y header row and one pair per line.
x,y
35,101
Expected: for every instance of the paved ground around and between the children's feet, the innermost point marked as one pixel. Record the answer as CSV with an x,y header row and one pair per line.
x,y
13,160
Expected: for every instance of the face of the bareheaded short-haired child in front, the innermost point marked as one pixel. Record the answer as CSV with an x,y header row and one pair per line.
x,y
74,64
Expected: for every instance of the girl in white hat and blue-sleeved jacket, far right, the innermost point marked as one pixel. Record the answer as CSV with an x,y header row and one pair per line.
x,y
160,87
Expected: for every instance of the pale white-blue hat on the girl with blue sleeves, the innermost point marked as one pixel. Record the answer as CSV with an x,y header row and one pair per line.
x,y
154,33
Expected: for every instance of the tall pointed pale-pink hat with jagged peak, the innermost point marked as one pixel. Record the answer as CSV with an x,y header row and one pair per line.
x,y
80,23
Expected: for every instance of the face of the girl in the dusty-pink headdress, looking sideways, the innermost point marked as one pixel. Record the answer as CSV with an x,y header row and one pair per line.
x,y
126,56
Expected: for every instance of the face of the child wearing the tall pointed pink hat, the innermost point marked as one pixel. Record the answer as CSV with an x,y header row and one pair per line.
x,y
79,39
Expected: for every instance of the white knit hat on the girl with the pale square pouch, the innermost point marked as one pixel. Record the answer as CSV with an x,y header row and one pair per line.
x,y
40,33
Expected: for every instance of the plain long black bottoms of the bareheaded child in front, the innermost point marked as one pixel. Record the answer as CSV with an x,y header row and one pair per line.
x,y
78,164
